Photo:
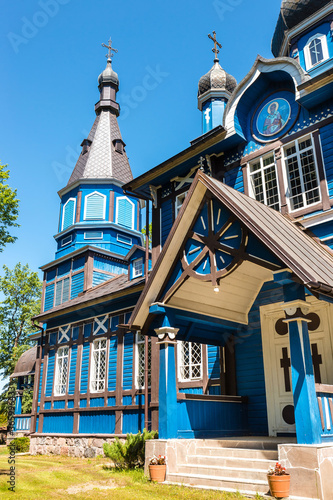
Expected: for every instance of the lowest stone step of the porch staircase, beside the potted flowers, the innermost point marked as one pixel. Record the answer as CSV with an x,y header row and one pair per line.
x,y
244,486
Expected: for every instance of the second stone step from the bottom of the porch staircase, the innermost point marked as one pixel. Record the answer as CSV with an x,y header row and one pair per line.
x,y
233,473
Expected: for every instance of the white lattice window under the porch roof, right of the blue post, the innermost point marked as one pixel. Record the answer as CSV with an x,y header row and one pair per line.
x,y
189,361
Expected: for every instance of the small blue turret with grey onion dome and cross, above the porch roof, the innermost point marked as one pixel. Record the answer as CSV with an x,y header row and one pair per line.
x,y
215,89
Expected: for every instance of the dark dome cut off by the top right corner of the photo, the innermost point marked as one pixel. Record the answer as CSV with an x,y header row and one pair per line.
x,y
293,12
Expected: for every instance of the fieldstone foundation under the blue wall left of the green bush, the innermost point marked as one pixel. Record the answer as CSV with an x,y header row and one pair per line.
x,y
87,447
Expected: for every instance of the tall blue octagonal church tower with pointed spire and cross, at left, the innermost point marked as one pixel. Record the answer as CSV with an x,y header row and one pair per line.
x,y
98,223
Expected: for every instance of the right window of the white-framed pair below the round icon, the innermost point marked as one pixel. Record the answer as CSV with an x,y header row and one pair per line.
x,y
302,176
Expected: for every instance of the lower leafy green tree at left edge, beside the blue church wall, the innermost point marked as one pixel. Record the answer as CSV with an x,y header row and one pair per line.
x,y
21,288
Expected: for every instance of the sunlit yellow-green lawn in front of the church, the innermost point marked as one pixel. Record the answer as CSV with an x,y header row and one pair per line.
x,y
55,477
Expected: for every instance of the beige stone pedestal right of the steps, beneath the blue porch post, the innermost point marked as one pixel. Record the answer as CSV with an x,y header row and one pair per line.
x,y
311,469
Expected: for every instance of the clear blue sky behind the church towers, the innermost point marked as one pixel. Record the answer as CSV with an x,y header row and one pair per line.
x,y
51,56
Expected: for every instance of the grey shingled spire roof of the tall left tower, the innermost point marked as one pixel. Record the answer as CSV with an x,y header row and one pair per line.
x,y
101,160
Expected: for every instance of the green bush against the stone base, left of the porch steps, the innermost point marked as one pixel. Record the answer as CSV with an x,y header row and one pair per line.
x,y
131,453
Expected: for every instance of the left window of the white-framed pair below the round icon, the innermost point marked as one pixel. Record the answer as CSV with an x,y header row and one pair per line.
x,y
264,182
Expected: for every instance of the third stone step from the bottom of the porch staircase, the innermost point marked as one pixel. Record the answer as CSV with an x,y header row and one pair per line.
x,y
242,462
